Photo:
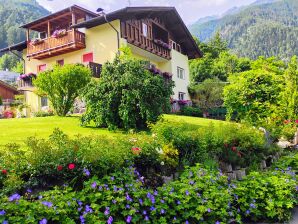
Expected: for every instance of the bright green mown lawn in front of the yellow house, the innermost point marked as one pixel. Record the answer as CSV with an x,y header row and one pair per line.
x,y
18,130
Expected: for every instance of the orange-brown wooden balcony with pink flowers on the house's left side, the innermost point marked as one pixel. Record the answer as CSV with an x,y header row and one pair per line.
x,y
73,40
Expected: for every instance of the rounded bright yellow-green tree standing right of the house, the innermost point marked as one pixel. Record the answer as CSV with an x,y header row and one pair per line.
x,y
253,95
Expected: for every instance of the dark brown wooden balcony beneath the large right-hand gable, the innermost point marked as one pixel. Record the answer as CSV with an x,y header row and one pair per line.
x,y
133,34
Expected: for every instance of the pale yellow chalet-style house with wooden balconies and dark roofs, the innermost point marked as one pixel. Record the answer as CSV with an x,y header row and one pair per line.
x,y
77,35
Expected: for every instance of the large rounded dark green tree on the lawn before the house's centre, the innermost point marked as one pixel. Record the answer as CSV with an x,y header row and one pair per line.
x,y
127,95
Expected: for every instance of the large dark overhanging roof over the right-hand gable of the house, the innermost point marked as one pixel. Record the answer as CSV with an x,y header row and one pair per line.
x,y
169,14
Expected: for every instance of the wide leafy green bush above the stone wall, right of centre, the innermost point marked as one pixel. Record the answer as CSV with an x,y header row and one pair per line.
x,y
239,145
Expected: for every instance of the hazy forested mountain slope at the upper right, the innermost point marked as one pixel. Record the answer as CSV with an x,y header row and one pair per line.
x,y
255,30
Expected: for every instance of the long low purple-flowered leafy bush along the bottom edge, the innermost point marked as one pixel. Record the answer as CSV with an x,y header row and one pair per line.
x,y
121,197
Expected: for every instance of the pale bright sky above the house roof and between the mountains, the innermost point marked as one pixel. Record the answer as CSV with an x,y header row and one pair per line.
x,y
190,10
